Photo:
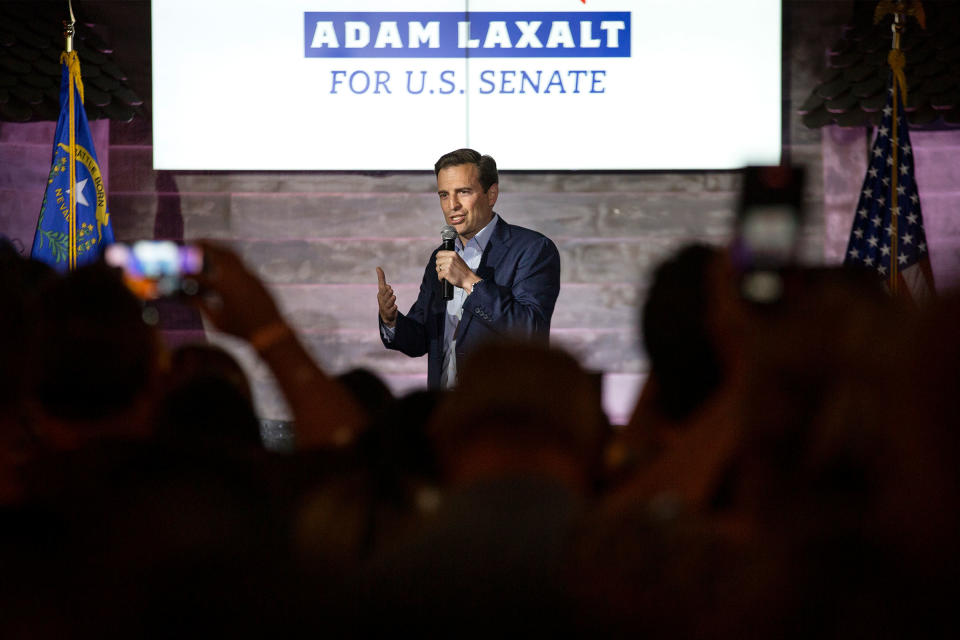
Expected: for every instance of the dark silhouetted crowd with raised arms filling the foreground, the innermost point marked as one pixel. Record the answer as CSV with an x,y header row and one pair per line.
x,y
790,470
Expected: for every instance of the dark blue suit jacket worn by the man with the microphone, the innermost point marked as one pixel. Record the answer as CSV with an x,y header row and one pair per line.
x,y
521,281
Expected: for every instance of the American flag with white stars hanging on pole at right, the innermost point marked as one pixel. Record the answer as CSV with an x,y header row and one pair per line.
x,y
897,252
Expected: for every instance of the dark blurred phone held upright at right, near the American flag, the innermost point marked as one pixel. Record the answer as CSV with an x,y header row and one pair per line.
x,y
769,222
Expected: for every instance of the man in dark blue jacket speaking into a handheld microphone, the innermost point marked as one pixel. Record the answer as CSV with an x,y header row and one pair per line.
x,y
505,278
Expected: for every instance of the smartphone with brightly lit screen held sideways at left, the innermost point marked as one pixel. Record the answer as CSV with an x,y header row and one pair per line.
x,y
157,268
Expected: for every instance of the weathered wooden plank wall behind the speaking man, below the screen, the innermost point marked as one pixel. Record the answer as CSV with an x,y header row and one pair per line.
x,y
317,238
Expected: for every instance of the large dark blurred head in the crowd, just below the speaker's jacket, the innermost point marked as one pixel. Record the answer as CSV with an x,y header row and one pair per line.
x,y
521,407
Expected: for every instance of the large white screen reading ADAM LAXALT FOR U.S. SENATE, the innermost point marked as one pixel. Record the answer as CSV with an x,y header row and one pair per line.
x,y
549,85
